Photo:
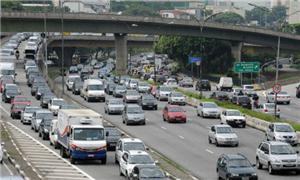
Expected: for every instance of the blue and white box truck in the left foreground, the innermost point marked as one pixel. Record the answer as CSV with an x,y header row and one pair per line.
x,y
81,135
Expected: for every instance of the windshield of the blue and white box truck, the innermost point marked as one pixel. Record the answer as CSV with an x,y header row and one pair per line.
x,y
88,134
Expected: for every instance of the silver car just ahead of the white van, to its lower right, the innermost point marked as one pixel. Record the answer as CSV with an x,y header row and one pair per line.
x,y
115,106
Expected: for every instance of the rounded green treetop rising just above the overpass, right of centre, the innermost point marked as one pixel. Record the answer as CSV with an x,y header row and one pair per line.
x,y
229,17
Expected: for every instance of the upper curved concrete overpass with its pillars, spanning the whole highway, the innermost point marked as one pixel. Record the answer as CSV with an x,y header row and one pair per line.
x,y
123,25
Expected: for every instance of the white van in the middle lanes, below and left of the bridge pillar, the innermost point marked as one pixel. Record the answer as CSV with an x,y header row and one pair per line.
x,y
93,89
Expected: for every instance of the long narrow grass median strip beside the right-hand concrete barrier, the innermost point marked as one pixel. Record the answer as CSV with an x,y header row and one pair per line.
x,y
228,105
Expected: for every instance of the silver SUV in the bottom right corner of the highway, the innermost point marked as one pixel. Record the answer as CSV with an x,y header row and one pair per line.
x,y
277,156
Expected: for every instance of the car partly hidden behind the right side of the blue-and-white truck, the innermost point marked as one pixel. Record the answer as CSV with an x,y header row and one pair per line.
x,y
113,137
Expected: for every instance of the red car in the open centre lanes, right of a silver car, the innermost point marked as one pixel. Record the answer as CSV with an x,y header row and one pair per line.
x,y
174,113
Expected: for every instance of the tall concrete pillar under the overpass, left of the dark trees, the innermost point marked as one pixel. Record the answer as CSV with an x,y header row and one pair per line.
x,y
121,53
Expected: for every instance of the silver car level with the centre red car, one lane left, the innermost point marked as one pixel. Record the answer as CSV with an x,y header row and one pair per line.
x,y
133,114
